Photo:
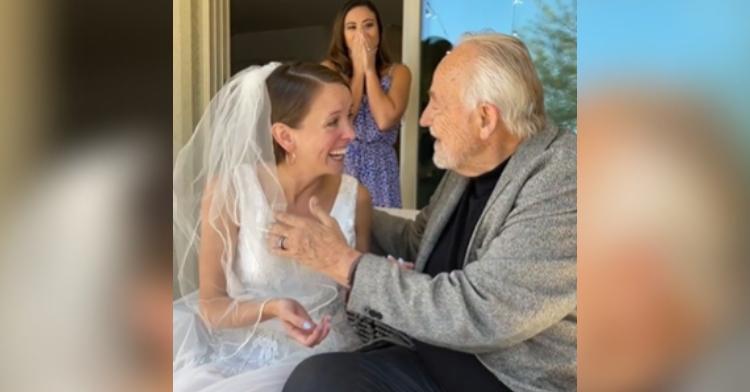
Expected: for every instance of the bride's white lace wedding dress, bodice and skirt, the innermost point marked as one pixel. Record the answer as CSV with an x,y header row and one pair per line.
x,y
257,275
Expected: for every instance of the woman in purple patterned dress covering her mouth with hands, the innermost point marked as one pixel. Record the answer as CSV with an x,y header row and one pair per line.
x,y
380,90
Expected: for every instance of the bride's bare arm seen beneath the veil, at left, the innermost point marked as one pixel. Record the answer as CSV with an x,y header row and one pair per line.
x,y
217,309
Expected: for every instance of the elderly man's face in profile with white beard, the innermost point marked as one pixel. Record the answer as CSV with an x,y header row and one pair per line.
x,y
448,119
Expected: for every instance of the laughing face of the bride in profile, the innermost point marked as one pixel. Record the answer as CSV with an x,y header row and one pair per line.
x,y
325,133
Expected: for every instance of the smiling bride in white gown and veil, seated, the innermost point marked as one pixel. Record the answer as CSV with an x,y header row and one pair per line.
x,y
273,138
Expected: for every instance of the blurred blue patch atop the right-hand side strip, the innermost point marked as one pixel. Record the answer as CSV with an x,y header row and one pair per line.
x,y
700,43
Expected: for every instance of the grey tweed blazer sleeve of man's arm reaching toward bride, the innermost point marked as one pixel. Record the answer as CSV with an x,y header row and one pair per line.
x,y
524,282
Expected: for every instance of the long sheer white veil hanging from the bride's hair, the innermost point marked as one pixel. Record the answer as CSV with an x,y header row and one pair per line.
x,y
232,140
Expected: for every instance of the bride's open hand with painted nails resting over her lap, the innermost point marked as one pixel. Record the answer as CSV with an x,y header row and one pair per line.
x,y
298,324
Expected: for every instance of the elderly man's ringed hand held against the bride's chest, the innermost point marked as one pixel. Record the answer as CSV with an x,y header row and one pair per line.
x,y
317,243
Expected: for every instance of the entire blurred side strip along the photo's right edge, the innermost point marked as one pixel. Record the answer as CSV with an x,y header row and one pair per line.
x,y
664,146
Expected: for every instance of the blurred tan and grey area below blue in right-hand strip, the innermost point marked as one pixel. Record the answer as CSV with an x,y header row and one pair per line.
x,y
663,243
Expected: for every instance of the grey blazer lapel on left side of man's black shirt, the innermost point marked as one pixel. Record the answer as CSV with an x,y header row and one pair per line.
x,y
441,213
